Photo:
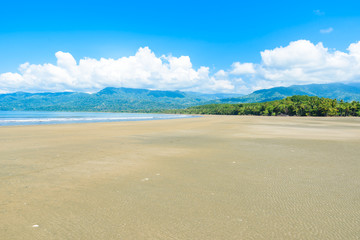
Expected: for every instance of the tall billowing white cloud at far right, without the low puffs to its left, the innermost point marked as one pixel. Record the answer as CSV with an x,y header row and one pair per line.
x,y
302,62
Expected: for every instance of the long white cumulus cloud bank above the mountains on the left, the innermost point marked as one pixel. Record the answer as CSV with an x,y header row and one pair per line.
x,y
143,70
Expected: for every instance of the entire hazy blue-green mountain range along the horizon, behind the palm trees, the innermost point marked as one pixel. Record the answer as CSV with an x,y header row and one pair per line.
x,y
131,99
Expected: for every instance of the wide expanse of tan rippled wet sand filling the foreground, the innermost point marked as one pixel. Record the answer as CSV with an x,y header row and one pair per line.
x,y
213,177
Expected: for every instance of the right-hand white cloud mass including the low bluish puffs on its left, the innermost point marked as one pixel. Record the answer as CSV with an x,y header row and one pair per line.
x,y
300,62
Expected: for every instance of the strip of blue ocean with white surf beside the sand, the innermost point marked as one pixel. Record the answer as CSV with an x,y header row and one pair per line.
x,y
9,118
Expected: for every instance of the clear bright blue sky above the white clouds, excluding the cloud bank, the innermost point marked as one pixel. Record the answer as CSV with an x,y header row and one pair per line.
x,y
214,34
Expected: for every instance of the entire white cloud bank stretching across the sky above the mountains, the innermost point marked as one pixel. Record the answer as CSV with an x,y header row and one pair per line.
x,y
301,62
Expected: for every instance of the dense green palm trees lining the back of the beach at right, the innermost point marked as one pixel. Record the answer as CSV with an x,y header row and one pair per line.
x,y
291,106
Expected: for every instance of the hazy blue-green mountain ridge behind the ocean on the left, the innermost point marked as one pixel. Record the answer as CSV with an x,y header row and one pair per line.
x,y
108,99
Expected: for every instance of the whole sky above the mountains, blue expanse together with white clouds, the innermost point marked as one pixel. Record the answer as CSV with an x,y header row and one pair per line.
x,y
205,46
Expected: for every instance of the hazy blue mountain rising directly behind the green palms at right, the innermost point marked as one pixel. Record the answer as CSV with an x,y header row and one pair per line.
x,y
347,92
